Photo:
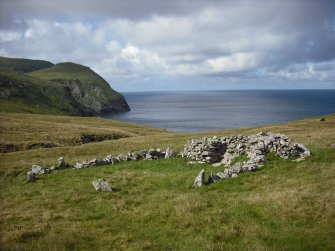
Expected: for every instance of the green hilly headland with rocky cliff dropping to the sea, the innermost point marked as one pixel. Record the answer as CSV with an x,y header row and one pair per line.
x,y
36,86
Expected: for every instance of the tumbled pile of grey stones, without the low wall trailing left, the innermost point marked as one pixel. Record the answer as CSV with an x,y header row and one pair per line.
x,y
221,151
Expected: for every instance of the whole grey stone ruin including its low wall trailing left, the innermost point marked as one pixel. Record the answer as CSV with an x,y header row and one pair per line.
x,y
218,151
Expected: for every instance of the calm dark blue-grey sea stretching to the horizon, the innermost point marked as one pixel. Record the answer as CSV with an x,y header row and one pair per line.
x,y
214,110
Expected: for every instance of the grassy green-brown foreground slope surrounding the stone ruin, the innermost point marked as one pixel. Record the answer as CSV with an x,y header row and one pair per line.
x,y
286,205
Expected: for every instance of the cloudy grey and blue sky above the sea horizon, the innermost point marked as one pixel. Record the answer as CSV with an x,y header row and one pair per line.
x,y
157,45
